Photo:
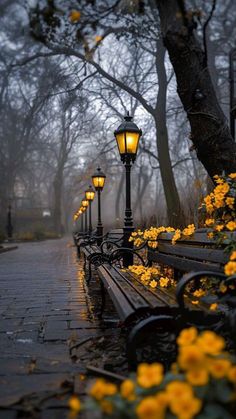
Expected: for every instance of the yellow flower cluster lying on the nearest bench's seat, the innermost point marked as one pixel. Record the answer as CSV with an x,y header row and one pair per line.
x,y
151,276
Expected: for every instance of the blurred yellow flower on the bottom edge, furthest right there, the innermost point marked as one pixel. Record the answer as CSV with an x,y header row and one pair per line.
x,y
186,408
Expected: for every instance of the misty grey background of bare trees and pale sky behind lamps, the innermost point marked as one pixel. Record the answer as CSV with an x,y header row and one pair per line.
x,y
58,114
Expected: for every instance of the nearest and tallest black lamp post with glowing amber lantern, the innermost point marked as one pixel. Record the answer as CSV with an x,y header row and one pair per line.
x,y
127,137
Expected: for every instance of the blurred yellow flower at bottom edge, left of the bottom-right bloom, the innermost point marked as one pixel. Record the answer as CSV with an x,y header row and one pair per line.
x,y
149,408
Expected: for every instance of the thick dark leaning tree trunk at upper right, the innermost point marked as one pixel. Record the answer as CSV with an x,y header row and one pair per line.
x,y
209,130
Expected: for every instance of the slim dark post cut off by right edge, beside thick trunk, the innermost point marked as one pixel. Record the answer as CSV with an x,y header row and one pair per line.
x,y
232,90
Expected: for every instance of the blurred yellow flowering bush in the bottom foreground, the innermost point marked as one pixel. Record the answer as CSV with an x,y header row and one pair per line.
x,y
201,384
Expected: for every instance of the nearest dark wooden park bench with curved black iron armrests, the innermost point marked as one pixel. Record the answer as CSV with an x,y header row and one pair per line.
x,y
142,309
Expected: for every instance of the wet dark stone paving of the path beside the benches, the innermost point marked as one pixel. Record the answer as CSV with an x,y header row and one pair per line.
x,y
45,313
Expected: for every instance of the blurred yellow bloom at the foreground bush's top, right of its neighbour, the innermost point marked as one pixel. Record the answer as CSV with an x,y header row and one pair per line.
x,y
210,343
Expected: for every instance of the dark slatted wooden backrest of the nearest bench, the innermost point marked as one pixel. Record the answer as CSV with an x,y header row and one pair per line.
x,y
195,253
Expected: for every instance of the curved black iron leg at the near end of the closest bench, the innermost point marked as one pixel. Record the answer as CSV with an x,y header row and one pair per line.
x,y
150,322
